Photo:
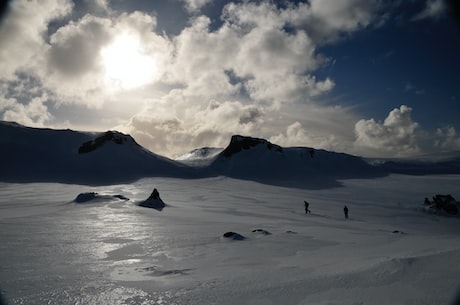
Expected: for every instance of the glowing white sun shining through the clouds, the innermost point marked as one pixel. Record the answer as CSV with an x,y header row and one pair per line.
x,y
126,64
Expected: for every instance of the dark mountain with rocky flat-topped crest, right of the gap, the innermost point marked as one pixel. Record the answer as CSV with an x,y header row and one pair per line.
x,y
259,160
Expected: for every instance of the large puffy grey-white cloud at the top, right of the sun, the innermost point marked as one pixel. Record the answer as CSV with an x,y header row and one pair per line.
x,y
270,63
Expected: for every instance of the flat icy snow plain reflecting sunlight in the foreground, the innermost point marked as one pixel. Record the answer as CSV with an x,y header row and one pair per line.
x,y
111,251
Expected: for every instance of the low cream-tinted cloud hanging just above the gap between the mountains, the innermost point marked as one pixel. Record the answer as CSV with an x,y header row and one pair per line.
x,y
174,125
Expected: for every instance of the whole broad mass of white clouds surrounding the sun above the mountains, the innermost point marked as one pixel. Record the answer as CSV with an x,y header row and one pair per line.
x,y
253,75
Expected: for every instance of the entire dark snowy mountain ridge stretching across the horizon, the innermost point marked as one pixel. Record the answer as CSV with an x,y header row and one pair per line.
x,y
34,154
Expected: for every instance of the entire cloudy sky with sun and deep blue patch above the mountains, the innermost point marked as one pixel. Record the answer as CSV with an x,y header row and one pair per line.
x,y
366,77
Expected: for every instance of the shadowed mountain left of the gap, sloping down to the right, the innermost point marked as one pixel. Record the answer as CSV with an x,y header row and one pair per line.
x,y
34,154
